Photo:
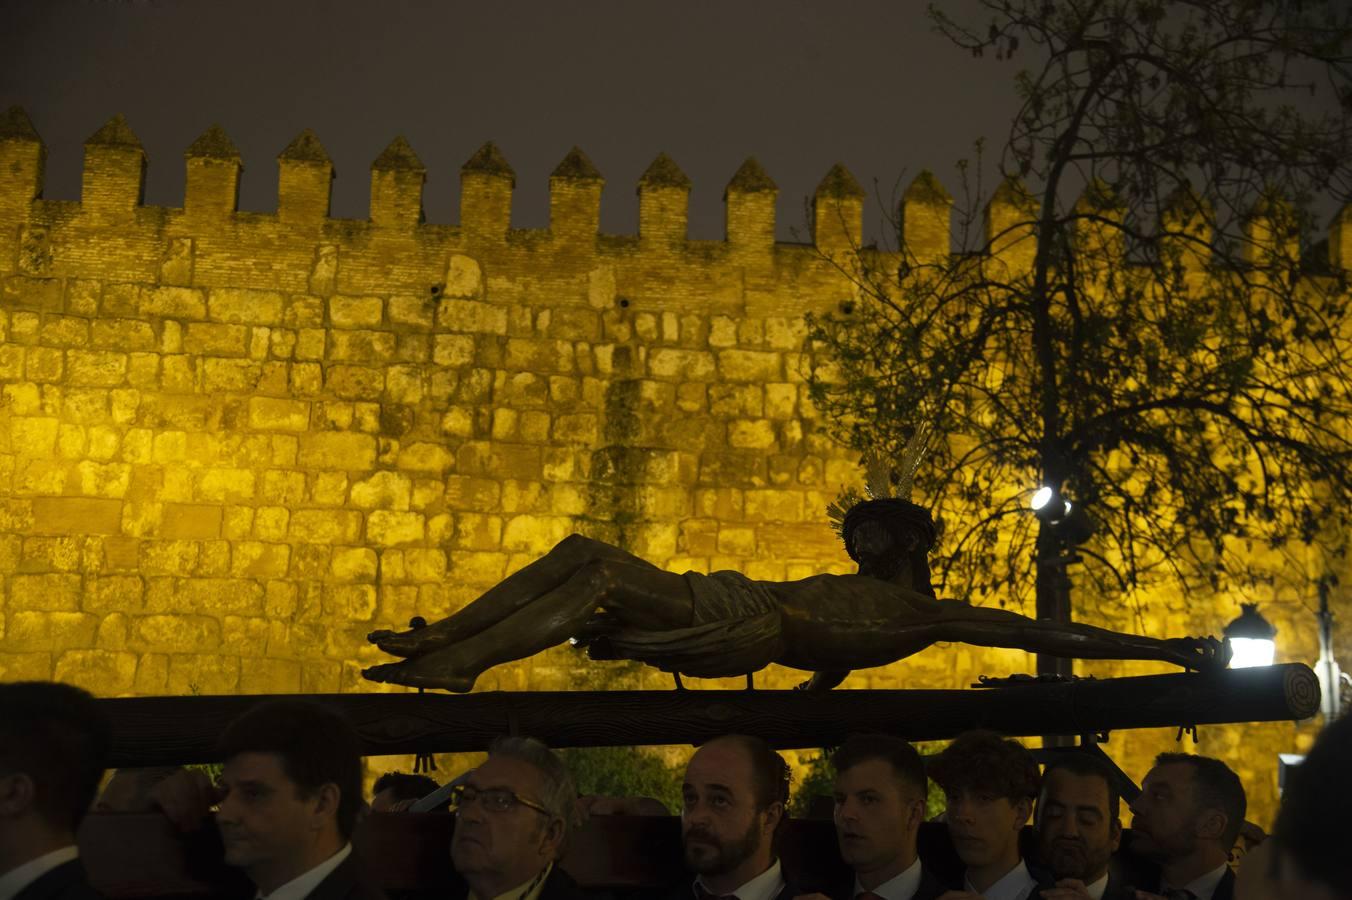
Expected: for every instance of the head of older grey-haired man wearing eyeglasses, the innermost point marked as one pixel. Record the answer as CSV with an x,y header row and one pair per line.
x,y
513,820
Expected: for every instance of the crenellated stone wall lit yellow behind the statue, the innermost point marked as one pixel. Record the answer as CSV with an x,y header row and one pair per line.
x,y
232,444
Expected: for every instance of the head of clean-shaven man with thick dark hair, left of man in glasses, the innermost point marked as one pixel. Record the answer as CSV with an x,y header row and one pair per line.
x,y
291,791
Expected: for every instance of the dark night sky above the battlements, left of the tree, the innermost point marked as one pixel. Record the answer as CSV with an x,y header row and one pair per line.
x,y
798,84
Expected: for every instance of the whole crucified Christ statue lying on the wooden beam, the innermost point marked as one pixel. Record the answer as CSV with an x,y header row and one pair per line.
x,y
727,625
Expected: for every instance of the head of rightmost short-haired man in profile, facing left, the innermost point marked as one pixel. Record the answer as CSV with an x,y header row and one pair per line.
x,y
1186,820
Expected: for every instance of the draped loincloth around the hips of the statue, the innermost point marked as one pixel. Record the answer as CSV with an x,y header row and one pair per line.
x,y
735,630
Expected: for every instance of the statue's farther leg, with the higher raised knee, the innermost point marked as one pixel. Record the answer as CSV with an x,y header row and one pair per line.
x,y
512,594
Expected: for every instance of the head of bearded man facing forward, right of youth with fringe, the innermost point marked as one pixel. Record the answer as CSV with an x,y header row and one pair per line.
x,y
1080,829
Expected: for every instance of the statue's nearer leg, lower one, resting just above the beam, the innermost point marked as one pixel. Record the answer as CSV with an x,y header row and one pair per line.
x,y
640,595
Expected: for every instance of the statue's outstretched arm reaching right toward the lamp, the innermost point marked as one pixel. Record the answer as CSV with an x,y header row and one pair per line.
x,y
989,628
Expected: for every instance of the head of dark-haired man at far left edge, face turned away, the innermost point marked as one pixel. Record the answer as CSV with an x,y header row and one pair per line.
x,y
53,749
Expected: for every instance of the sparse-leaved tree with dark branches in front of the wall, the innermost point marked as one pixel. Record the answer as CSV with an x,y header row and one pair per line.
x,y
1142,325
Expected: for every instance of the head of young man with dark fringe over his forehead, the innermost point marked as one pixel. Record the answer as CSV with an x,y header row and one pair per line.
x,y
990,784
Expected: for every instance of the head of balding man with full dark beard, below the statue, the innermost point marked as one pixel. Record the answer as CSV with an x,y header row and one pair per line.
x,y
733,807
